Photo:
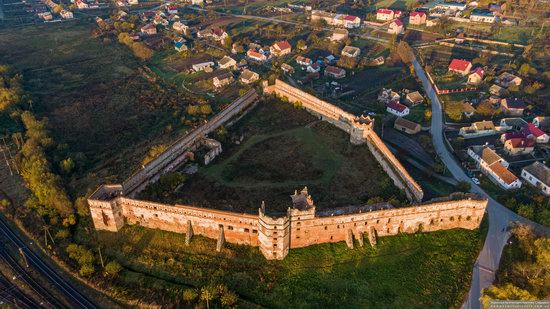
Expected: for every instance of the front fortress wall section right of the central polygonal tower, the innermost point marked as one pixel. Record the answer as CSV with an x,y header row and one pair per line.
x,y
465,214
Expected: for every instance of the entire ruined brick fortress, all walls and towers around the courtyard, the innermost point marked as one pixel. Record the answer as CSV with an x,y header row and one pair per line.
x,y
112,206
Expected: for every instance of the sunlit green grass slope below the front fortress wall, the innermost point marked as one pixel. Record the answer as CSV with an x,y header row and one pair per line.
x,y
431,270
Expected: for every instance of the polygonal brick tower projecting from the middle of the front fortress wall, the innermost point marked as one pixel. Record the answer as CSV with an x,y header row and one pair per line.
x,y
273,235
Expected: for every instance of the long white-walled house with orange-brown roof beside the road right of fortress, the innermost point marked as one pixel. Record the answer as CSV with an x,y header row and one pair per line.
x,y
494,166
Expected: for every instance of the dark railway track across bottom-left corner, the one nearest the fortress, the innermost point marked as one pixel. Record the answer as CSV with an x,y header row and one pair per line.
x,y
47,271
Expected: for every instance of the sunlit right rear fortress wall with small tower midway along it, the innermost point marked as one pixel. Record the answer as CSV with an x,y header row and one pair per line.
x,y
359,133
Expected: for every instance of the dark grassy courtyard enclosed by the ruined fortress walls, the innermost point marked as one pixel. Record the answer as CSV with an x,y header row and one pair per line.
x,y
285,149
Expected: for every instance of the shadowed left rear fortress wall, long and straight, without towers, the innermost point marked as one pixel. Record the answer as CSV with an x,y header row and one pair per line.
x,y
174,155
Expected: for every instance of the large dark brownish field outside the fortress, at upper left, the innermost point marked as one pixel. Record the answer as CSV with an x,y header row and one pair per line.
x,y
102,106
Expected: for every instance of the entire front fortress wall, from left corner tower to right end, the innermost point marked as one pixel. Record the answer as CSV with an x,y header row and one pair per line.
x,y
301,227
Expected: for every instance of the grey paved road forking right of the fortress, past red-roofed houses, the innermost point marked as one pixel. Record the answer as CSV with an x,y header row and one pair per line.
x,y
500,217
